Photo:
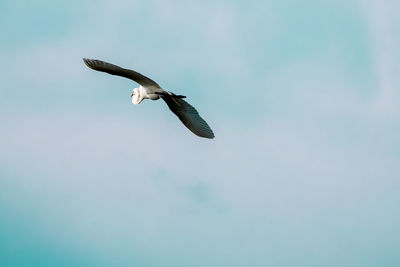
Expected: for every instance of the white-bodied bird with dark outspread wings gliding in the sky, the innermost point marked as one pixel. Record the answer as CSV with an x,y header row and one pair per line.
x,y
149,89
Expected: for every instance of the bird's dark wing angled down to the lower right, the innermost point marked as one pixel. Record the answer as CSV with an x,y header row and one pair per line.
x,y
188,116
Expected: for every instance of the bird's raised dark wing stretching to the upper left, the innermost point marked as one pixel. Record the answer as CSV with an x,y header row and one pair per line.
x,y
115,70
